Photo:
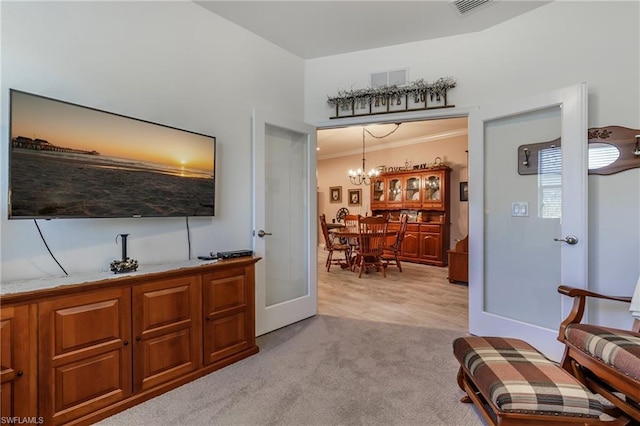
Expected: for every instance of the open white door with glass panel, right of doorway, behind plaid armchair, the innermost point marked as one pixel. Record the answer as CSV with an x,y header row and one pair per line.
x,y
515,264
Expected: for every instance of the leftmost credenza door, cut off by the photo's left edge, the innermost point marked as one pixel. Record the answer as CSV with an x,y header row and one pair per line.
x,y
18,392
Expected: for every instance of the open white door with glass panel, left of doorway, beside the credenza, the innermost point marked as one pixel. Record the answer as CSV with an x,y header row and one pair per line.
x,y
284,220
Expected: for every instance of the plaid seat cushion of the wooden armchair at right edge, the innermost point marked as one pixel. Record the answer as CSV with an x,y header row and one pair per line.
x,y
619,349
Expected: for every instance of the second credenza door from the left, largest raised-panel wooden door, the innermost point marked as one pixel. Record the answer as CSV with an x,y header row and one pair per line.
x,y
84,353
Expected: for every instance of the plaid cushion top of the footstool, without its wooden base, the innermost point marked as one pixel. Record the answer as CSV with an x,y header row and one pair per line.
x,y
517,378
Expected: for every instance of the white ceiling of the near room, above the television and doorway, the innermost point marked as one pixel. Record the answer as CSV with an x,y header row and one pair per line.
x,y
312,29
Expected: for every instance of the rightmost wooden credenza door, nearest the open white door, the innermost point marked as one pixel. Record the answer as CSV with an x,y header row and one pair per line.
x,y
229,326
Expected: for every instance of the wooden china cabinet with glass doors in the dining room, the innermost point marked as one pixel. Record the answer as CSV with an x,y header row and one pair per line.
x,y
425,193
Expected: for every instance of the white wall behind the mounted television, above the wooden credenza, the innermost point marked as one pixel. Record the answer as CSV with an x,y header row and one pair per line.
x,y
172,63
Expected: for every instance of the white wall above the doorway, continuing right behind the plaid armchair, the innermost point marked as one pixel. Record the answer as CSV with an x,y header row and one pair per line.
x,y
556,45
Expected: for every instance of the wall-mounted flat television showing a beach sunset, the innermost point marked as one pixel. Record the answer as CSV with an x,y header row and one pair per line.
x,y
71,161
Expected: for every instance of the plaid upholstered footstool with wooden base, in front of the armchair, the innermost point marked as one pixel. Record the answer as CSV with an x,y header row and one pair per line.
x,y
512,383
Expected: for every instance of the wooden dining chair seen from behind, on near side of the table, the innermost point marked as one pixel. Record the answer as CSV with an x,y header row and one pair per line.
x,y
372,237
